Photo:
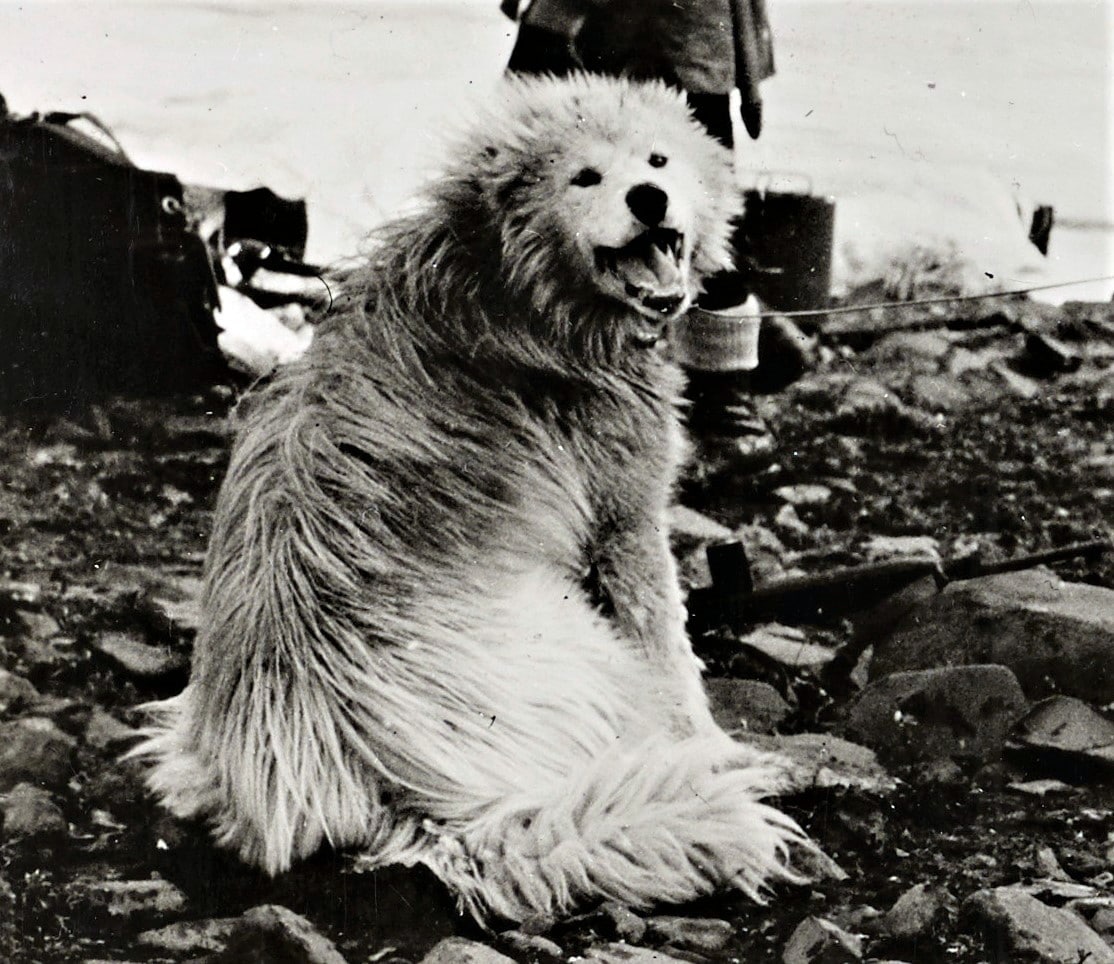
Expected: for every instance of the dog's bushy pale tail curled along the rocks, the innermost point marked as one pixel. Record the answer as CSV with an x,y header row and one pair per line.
x,y
659,822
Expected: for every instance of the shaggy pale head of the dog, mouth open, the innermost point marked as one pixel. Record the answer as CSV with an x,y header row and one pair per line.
x,y
605,190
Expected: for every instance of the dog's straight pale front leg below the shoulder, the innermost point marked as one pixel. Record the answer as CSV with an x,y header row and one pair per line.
x,y
638,583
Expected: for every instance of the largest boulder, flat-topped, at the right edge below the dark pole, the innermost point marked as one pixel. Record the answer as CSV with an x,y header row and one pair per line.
x,y
1057,637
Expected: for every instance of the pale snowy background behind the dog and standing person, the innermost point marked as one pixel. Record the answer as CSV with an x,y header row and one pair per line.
x,y
924,120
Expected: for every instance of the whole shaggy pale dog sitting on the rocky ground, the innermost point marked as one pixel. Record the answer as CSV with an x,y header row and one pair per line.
x,y
442,621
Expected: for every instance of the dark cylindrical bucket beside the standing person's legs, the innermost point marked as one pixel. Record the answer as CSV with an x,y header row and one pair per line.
x,y
790,239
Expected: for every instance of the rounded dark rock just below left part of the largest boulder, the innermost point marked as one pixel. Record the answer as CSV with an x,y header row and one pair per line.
x,y
957,713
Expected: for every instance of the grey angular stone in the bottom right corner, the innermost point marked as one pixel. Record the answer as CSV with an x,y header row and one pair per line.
x,y
1019,928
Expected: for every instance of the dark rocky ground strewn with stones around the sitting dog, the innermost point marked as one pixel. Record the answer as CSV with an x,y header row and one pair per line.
x,y
952,749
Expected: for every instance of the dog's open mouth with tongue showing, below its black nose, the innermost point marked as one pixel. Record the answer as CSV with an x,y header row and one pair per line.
x,y
650,274
